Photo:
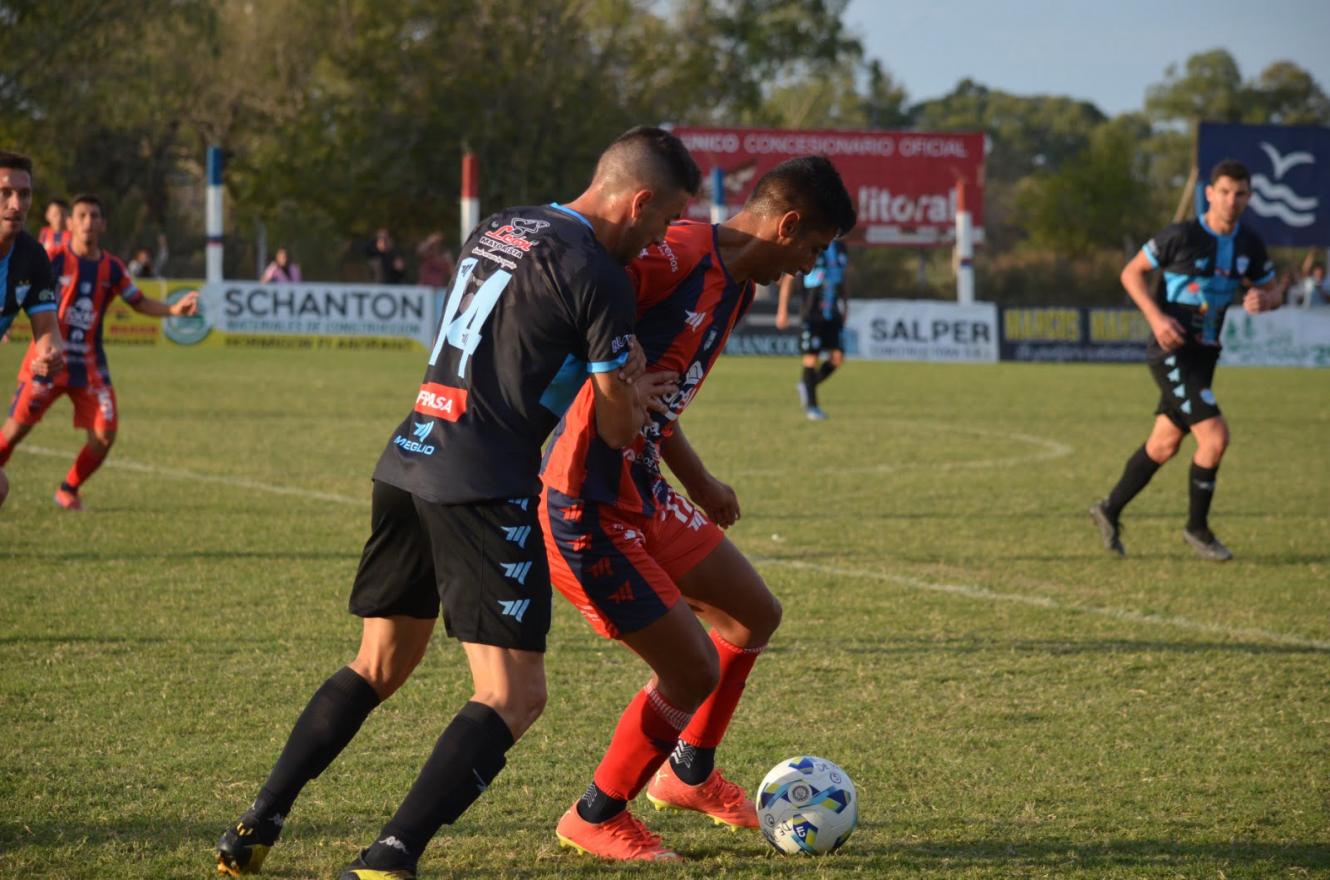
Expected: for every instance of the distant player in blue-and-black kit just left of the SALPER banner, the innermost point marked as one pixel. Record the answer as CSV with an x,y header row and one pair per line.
x,y
823,324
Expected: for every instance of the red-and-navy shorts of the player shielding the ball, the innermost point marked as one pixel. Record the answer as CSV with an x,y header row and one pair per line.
x,y
619,568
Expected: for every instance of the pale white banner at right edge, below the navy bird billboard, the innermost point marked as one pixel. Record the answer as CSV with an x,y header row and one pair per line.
x,y
1283,338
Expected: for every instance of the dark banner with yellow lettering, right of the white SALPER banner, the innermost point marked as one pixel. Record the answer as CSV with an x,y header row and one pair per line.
x,y
1074,334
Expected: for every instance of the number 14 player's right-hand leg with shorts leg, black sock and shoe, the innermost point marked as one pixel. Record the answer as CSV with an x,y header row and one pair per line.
x,y
494,583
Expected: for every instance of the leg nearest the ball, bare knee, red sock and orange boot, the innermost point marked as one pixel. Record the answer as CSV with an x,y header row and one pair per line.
x,y
728,594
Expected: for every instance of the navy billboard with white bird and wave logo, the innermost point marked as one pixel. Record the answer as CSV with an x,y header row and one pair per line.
x,y
1291,177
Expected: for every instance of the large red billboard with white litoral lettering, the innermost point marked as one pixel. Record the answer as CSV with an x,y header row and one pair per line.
x,y
904,183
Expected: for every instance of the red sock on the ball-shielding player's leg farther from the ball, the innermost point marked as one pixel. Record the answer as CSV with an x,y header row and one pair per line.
x,y
643,741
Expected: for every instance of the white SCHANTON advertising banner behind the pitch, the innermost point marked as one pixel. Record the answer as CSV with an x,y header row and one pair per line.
x,y
252,314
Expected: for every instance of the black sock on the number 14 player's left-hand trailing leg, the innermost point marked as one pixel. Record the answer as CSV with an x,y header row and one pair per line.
x,y
329,722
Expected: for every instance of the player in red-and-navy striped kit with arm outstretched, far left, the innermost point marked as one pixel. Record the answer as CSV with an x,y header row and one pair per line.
x,y
90,278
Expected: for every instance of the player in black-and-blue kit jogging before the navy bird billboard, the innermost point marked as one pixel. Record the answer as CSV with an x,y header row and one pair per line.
x,y
1207,263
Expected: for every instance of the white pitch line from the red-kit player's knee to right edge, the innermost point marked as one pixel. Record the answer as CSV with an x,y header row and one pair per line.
x,y
1054,605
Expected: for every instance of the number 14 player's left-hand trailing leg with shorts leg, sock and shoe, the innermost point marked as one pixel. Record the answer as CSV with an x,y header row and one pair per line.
x,y
397,598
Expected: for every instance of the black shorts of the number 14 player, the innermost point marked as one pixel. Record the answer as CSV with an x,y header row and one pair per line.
x,y
486,564
